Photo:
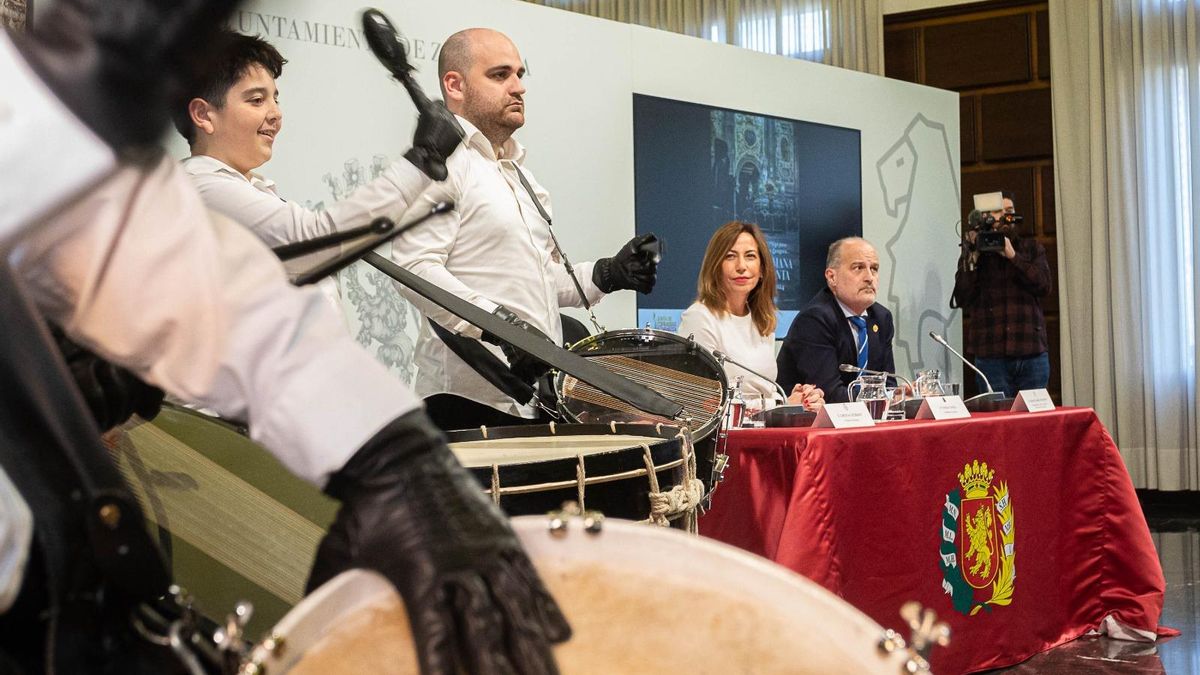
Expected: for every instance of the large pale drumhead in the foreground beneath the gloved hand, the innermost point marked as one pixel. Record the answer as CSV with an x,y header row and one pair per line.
x,y
640,600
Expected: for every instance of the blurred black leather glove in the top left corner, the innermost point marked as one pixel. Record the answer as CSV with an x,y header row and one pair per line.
x,y
119,65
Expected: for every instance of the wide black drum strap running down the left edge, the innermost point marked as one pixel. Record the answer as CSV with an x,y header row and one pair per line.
x,y
87,522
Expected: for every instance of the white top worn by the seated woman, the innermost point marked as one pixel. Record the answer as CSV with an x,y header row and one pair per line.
x,y
739,338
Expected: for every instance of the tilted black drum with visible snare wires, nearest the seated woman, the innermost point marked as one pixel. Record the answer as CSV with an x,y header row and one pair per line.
x,y
675,367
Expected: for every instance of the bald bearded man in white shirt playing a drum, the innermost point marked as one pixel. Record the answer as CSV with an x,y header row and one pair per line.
x,y
497,250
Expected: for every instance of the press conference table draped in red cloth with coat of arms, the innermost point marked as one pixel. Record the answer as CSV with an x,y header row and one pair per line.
x,y
1027,554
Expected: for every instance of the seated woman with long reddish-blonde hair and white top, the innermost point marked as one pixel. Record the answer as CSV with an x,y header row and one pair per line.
x,y
735,312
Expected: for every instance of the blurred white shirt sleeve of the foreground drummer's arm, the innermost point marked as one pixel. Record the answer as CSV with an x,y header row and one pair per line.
x,y
141,273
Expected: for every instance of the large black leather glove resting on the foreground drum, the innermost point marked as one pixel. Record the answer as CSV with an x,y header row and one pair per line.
x,y
412,513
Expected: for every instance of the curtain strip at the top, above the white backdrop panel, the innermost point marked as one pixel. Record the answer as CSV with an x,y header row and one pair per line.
x,y
839,33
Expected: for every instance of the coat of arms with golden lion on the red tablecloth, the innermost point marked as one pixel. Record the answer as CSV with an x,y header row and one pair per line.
x,y
977,553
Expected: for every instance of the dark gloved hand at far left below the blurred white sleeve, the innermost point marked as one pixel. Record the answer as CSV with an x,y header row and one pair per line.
x,y
111,392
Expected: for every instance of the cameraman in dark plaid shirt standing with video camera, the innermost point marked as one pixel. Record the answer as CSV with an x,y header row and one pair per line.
x,y
1000,282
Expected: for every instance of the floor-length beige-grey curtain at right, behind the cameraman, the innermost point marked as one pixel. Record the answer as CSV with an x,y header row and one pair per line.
x,y
1127,176
